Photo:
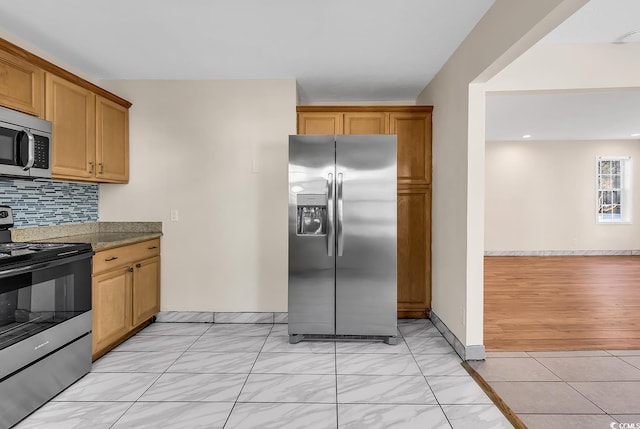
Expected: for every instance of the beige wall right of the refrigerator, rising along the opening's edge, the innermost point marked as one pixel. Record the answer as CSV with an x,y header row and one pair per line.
x,y
508,29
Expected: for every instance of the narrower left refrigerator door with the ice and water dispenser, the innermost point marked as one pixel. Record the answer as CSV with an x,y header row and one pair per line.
x,y
311,235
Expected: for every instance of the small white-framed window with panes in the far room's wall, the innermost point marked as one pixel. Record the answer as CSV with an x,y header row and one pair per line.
x,y
613,182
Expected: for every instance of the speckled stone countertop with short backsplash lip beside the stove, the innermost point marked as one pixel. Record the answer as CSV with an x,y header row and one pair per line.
x,y
101,235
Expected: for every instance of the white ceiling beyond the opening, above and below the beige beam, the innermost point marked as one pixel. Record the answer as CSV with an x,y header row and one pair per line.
x,y
595,115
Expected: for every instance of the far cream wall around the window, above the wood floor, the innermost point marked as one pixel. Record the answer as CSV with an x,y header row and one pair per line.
x,y
540,195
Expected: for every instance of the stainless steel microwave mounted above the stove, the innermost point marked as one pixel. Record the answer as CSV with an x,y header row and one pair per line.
x,y
25,145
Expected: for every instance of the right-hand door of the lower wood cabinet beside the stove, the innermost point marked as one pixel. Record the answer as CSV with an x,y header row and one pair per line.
x,y
146,290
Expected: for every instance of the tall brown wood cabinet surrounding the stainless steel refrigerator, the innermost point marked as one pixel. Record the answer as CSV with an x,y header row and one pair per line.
x,y
412,125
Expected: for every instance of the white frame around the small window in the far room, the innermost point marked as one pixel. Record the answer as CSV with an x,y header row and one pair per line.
x,y
625,191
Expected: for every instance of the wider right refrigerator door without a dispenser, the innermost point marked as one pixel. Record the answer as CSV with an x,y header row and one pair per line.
x,y
366,213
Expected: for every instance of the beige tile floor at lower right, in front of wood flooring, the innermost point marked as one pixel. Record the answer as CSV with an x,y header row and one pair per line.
x,y
594,389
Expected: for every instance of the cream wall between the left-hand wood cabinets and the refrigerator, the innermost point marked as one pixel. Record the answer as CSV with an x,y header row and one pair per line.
x,y
217,152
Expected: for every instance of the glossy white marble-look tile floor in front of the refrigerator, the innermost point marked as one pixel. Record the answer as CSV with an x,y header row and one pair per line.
x,y
191,375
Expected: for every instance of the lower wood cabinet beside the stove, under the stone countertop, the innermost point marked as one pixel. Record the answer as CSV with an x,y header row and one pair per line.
x,y
126,292
